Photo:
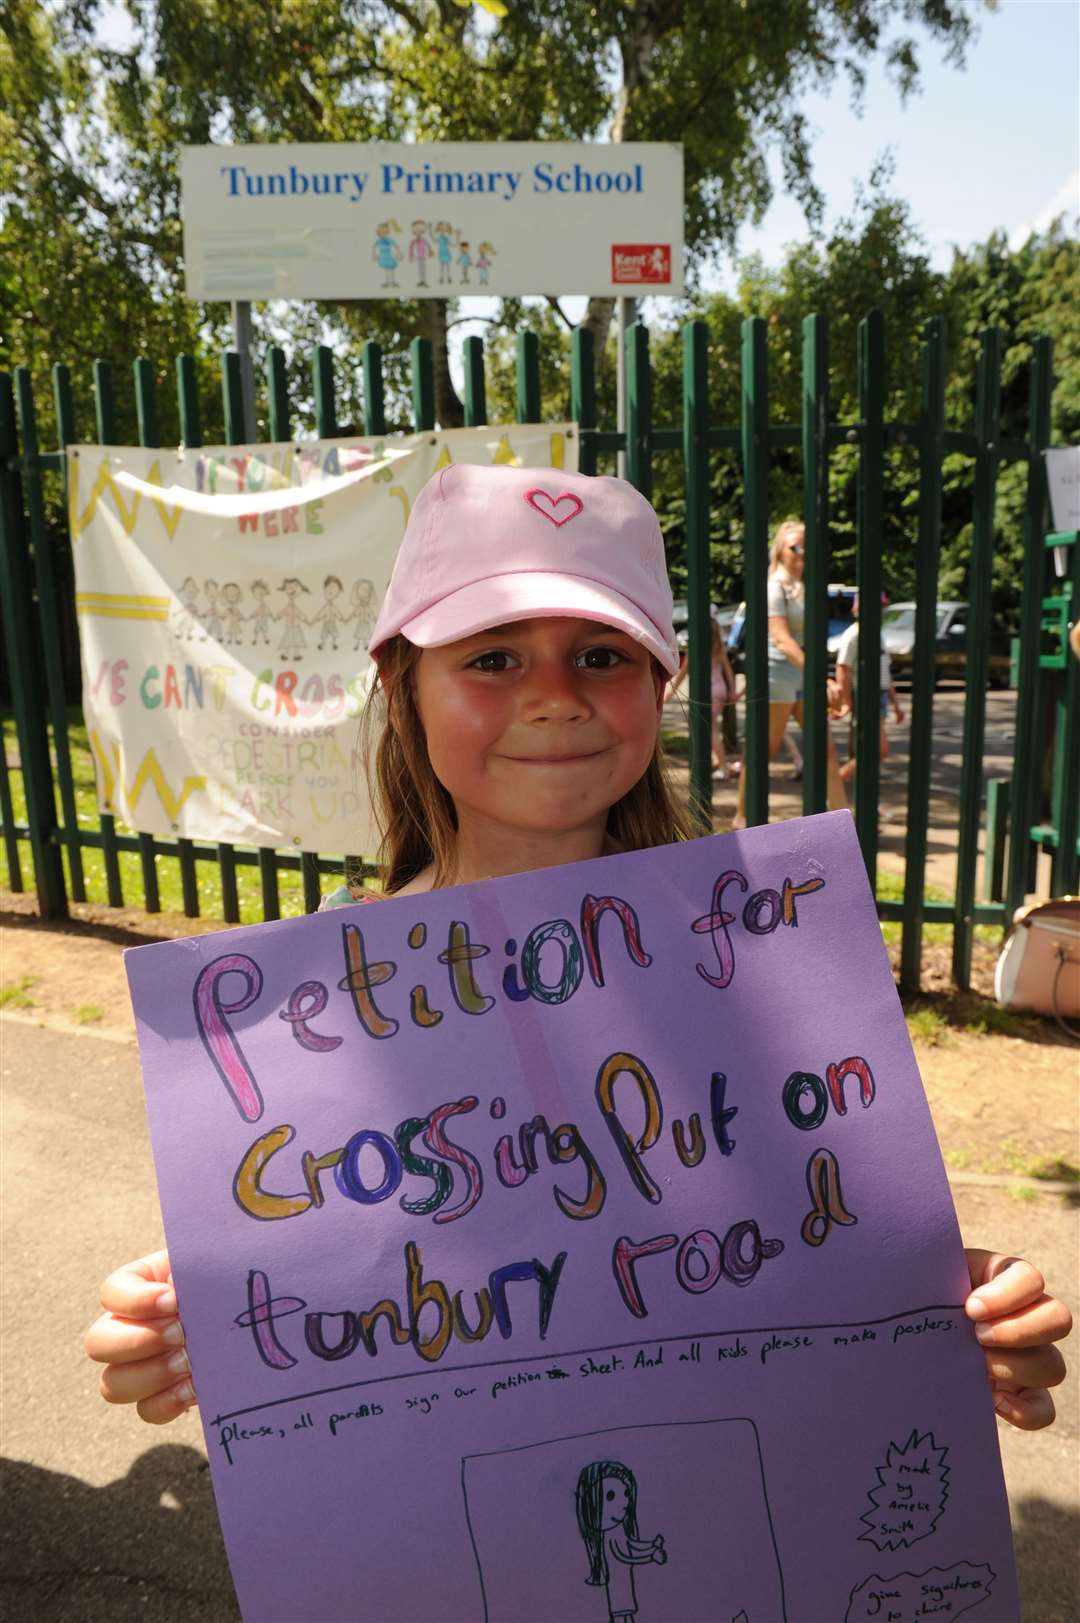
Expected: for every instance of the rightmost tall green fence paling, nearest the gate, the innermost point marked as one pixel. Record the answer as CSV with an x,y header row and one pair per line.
x,y
1026,777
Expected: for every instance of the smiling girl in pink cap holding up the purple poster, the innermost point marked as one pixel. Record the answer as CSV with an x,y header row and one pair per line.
x,y
524,650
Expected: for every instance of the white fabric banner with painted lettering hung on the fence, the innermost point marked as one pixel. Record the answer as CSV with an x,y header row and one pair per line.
x,y
225,600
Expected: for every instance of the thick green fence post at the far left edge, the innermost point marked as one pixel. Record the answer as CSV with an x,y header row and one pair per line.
x,y
27,671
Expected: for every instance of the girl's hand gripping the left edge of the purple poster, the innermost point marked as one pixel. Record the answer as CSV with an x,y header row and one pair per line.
x,y
140,1341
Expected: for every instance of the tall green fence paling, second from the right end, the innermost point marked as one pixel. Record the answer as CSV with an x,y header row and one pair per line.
x,y
977,647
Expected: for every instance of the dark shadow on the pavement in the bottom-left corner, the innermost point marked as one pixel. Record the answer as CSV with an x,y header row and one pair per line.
x,y
144,1548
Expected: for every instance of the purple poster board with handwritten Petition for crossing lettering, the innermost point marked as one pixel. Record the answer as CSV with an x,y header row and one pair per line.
x,y
576,1246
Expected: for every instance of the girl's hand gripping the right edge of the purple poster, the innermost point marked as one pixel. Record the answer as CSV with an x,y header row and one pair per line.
x,y
1017,1324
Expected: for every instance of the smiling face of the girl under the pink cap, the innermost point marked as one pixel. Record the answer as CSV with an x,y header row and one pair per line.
x,y
542,726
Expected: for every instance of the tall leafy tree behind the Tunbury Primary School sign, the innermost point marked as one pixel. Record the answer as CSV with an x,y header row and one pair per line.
x,y
92,132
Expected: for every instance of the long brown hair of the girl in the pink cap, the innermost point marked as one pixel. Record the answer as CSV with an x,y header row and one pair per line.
x,y
413,811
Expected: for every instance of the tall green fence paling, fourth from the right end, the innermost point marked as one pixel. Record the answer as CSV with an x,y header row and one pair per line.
x,y
870,507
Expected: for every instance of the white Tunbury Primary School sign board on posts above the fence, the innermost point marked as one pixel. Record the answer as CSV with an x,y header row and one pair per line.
x,y
379,222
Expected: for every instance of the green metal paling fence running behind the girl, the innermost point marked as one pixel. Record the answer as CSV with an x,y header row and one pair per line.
x,y
32,609
